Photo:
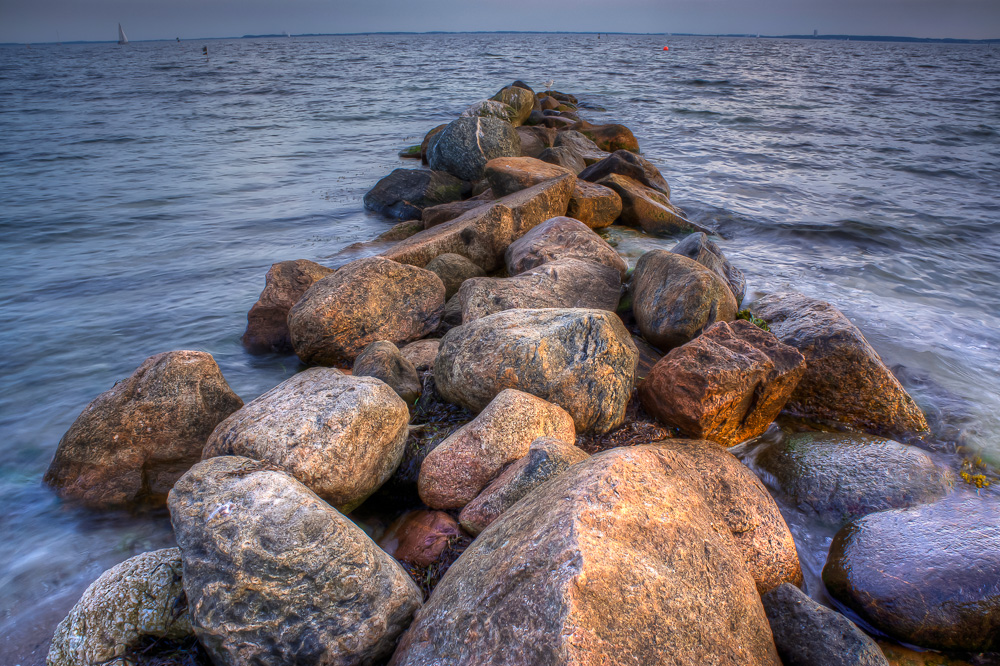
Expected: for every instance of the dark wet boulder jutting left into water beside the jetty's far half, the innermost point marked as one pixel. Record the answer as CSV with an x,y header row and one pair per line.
x,y
404,193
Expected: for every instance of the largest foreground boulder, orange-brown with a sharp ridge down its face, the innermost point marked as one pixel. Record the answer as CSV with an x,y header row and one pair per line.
x,y
544,583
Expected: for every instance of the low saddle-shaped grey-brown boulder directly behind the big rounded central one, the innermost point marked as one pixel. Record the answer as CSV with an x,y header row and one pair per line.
x,y
562,283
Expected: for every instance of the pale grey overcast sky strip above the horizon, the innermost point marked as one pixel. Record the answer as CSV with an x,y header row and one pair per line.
x,y
66,20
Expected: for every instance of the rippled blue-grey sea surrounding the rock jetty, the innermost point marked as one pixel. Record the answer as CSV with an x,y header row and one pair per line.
x,y
145,190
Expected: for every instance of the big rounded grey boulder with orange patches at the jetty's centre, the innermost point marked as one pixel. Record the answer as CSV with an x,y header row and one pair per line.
x,y
582,360
